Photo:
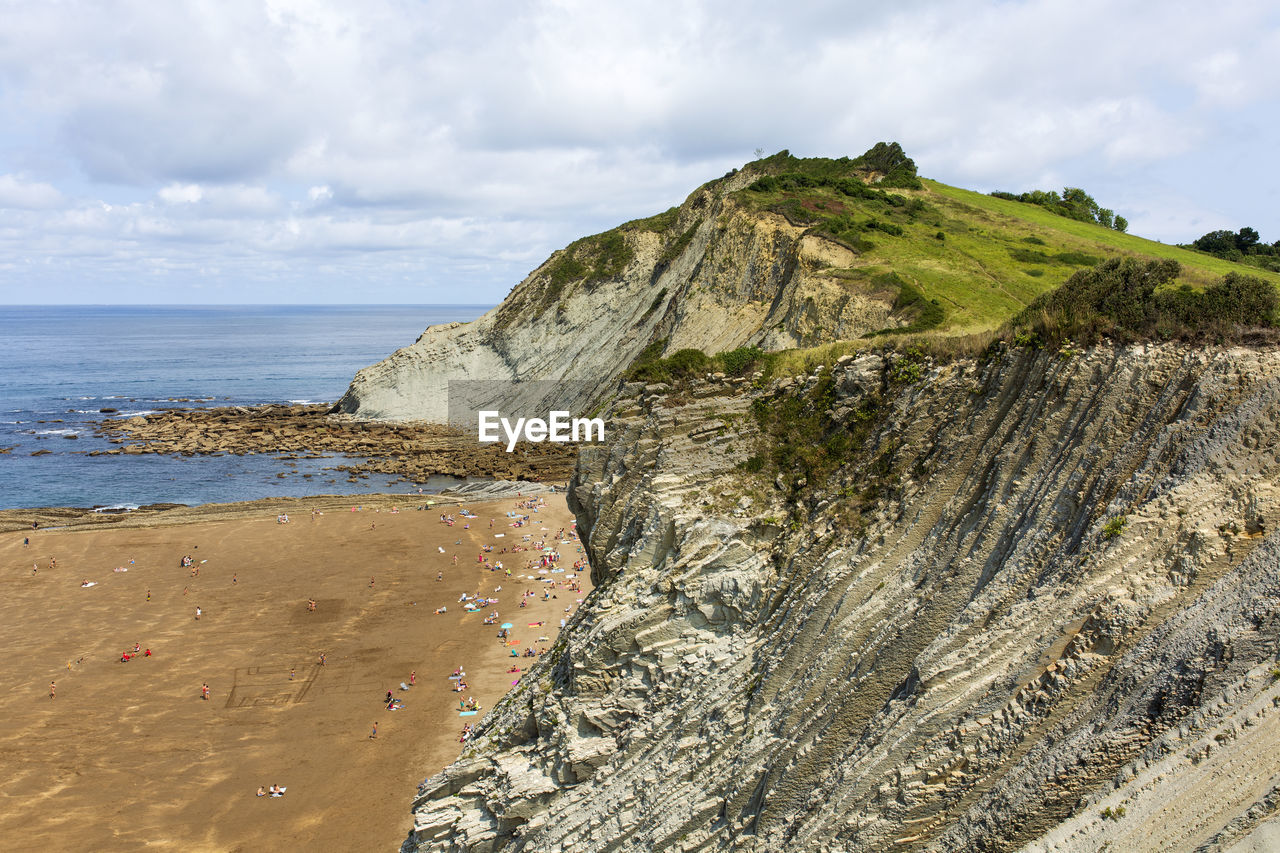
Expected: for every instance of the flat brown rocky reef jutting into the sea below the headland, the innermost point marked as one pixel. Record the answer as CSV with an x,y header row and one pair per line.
x,y
413,451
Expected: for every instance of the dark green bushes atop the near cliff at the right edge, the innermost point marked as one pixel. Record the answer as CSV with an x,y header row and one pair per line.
x,y
1130,300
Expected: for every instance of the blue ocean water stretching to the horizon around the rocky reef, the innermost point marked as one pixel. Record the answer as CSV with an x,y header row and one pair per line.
x,y
62,366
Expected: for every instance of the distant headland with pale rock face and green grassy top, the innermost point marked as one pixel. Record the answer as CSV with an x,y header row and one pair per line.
x,y
787,253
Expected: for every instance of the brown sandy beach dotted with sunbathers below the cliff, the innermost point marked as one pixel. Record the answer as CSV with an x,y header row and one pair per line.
x,y
129,756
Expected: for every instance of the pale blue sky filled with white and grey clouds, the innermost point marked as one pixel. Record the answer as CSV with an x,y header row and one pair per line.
x,y
226,152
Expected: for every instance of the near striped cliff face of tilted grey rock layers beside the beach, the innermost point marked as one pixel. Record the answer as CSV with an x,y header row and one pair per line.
x,y
981,656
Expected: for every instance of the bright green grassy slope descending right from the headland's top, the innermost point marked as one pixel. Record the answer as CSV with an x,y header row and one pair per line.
x,y
980,259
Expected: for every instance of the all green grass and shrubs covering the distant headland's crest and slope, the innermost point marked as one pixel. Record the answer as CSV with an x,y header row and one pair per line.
x,y
954,263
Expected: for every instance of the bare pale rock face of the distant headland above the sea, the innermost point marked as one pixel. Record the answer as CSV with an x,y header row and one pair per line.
x,y
742,279
